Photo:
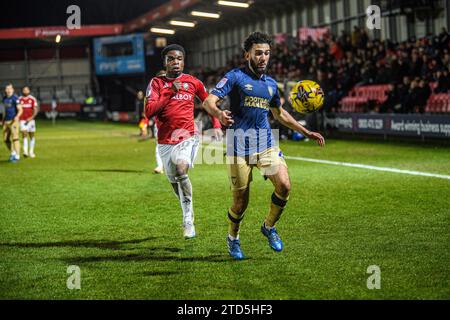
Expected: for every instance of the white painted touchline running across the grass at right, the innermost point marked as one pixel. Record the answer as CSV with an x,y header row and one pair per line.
x,y
362,166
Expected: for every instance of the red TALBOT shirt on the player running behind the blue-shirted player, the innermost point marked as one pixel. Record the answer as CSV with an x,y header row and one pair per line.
x,y
174,111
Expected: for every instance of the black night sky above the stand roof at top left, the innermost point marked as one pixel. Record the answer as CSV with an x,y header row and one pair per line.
x,y
33,13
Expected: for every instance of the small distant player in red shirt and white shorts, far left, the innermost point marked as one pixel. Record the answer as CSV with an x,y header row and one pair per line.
x,y
27,122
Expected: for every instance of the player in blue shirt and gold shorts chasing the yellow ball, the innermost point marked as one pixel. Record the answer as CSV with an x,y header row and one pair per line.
x,y
250,140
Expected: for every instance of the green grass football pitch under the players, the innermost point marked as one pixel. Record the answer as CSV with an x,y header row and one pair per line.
x,y
90,200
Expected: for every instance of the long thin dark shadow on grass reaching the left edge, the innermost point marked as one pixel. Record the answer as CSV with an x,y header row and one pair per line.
x,y
100,244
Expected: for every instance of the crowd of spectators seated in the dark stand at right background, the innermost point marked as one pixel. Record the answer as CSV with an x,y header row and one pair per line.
x,y
414,69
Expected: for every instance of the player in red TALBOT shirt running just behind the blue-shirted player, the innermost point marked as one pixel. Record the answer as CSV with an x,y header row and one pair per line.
x,y
170,98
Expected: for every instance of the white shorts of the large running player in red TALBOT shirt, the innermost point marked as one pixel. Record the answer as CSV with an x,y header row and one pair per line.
x,y
171,154
